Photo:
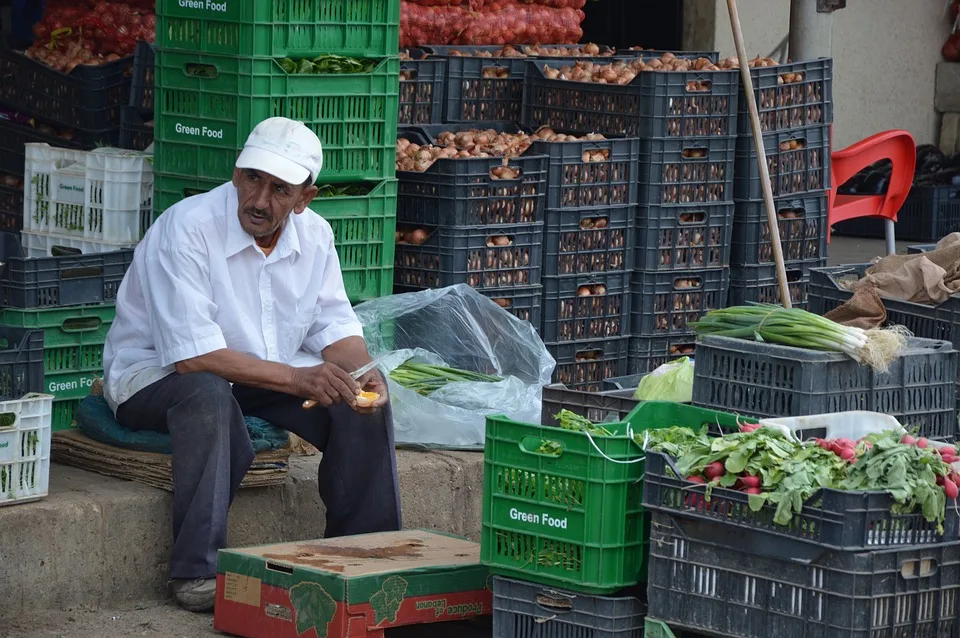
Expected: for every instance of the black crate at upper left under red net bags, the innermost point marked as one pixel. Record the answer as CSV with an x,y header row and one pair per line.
x,y
89,98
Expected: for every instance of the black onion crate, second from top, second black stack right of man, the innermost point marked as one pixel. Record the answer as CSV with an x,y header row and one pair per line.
x,y
583,242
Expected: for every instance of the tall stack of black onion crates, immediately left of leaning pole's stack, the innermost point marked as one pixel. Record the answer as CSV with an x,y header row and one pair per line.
x,y
684,115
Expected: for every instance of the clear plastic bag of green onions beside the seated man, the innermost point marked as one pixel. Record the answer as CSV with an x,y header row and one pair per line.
x,y
458,327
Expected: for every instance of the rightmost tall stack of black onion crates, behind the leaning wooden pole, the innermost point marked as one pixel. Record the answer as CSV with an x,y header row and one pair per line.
x,y
795,105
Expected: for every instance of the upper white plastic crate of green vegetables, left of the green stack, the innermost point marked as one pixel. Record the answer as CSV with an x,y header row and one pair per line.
x,y
104,195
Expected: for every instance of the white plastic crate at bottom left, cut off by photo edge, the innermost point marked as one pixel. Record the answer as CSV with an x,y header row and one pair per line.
x,y
25,448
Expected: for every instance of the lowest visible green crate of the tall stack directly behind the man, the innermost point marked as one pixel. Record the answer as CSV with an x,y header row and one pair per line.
x,y
364,228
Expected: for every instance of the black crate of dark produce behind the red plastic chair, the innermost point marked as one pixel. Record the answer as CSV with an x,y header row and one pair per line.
x,y
930,213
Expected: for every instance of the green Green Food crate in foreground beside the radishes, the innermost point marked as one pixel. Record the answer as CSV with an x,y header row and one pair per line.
x,y
574,520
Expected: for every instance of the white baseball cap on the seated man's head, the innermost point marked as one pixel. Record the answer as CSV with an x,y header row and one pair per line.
x,y
284,148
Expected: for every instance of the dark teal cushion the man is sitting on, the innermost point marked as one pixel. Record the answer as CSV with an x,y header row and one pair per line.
x,y
95,419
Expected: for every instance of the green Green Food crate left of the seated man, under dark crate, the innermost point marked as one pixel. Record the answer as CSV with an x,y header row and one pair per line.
x,y
73,339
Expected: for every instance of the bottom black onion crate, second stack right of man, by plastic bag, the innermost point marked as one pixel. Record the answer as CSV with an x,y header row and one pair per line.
x,y
584,365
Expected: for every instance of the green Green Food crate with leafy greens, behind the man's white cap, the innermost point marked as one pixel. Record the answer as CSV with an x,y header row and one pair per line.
x,y
202,123
